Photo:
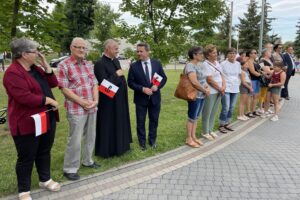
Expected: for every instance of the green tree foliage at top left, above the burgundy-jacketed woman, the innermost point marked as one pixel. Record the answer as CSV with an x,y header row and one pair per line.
x,y
26,18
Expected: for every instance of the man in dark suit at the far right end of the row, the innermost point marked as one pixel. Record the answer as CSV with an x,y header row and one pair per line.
x,y
290,70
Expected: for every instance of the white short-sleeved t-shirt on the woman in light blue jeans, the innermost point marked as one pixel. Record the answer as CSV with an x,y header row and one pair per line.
x,y
231,73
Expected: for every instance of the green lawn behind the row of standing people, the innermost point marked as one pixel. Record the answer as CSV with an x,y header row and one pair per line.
x,y
171,134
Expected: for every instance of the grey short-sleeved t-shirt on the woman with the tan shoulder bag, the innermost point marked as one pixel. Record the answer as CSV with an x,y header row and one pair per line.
x,y
199,69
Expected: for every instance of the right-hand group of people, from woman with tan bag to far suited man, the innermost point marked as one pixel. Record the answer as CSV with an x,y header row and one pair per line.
x,y
257,80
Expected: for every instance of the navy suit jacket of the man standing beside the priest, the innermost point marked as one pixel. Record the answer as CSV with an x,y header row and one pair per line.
x,y
137,80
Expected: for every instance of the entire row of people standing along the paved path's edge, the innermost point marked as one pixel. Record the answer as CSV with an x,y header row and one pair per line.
x,y
104,121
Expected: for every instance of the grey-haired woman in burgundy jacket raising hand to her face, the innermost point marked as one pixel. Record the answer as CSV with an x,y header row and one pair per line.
x,y
28,87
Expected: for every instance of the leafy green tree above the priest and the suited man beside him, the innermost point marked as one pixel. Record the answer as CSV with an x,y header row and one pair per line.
x,y
166,25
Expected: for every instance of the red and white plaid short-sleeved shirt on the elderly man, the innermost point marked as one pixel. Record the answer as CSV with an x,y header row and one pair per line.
x,y
80,79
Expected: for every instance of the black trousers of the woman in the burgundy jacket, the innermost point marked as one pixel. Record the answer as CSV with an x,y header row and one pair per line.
x,y
36,150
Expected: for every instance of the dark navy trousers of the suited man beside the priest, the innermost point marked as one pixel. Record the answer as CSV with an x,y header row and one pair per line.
x,y
153,114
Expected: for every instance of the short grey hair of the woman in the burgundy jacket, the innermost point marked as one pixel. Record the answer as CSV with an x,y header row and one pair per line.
x,y
22,45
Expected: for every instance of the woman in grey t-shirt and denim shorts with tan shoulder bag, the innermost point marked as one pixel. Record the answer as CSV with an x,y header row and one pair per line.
x,y
195,71
